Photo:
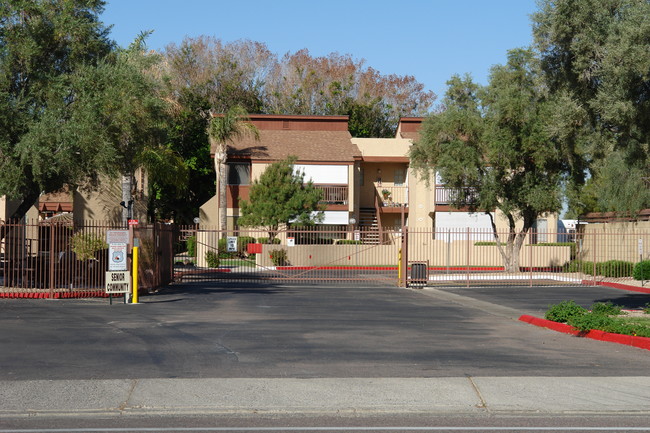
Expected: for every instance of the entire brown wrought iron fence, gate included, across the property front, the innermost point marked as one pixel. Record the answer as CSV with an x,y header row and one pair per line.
x,y
72,257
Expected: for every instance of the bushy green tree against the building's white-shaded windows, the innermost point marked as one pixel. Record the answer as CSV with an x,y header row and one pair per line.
x,y
281,196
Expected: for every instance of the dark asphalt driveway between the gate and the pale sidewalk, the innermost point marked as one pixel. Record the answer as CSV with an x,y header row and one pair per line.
x,y
198,330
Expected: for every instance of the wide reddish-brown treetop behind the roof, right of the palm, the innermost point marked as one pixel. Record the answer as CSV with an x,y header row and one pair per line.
x,y
337,85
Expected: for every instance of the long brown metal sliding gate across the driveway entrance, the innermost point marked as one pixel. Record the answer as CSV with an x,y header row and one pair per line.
x,y
304,256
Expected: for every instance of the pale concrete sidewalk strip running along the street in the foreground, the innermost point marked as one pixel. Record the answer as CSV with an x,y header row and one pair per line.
x,y
315,397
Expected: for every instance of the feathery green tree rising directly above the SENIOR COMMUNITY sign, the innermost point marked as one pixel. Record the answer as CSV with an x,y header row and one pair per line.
x,y
123,99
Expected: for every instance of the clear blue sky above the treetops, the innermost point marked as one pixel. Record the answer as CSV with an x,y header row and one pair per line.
x,y
430,40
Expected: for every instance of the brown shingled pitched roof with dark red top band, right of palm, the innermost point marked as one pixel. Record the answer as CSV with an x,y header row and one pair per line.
x,y
310,138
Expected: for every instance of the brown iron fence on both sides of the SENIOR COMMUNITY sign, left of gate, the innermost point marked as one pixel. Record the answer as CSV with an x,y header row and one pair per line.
x,y
66,257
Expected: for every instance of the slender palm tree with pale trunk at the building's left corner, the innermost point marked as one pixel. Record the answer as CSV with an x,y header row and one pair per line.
x,y
223,129
